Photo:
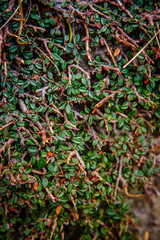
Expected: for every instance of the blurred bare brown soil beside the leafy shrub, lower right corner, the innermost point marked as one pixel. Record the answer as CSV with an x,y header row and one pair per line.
x,y
147,212
